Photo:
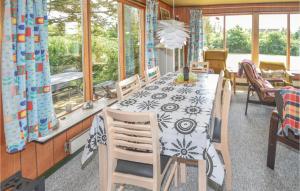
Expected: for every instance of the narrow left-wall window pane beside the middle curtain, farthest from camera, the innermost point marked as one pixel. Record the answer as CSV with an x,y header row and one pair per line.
x,y
132,40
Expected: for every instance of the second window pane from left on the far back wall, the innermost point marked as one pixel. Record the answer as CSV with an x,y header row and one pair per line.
x,y
238,39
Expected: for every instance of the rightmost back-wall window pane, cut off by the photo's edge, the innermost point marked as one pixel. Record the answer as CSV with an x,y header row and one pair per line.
x,y
295,42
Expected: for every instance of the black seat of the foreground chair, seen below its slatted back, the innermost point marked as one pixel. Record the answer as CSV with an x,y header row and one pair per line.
x,y
140,169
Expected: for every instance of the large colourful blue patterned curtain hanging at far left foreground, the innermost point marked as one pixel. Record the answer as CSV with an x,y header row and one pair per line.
x,y
26,91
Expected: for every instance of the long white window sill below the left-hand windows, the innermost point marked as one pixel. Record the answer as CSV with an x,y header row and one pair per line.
x,y
77,116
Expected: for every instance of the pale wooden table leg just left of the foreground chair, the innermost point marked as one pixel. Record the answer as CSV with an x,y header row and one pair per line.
x,y
103,166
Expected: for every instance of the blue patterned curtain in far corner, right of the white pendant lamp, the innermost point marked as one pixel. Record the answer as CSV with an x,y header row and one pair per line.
x,y
196,35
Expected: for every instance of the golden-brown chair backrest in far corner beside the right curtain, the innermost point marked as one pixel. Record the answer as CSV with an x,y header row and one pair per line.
x,y
216,58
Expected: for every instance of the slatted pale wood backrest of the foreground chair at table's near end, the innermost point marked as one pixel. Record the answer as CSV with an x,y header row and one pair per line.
x,y
133,137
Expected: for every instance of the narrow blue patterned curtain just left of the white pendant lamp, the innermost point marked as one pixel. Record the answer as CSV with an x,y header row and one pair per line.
x,y
151,27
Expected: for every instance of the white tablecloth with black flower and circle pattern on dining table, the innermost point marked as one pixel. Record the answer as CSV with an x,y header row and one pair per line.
x,y
184,113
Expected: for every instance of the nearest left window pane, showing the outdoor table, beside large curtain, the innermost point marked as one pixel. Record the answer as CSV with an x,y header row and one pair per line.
x,y
65,53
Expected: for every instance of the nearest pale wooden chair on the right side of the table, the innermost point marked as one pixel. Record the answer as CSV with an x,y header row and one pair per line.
x,y
220,136
